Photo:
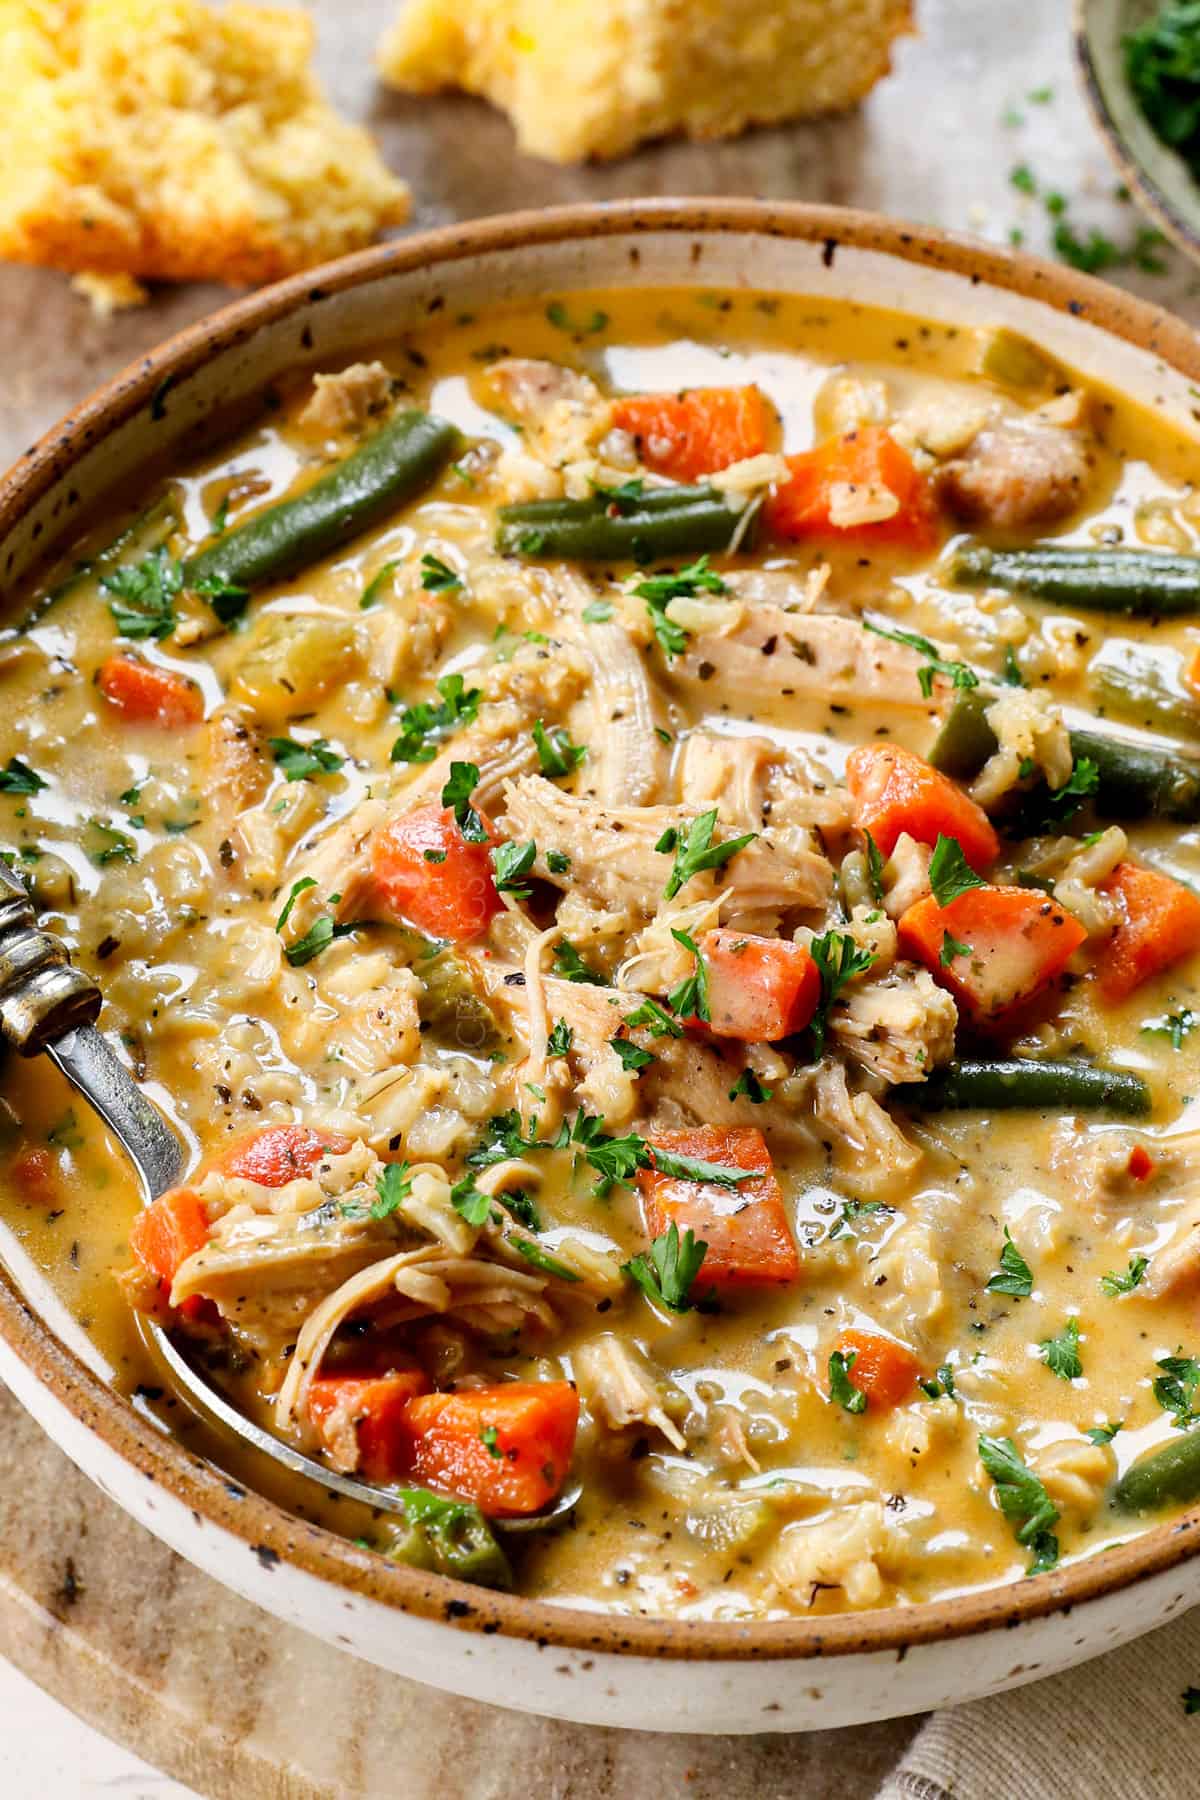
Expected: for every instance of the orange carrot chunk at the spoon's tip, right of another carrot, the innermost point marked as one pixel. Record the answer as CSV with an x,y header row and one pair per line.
x,y
506,1448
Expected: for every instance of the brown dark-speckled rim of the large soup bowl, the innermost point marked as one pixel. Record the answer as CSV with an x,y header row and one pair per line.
x,y
265,1529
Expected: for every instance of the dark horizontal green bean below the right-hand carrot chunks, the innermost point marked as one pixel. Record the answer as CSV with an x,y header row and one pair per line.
x,y
1019,1083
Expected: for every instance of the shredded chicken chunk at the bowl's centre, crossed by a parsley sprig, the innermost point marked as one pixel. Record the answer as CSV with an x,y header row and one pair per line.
x,y
614,859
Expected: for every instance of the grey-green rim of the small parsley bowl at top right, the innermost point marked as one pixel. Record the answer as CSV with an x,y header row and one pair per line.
x,y
1152,172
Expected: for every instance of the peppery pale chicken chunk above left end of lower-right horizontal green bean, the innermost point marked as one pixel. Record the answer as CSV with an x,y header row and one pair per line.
x,y
900,1027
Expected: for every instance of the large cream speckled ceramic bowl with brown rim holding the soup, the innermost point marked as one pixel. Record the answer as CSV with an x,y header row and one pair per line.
x,y
645,1673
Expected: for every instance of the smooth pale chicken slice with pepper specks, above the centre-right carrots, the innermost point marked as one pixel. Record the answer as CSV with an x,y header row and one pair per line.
x,y
816,656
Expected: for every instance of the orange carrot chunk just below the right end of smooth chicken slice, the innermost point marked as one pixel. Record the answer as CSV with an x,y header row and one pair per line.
x,y
897,791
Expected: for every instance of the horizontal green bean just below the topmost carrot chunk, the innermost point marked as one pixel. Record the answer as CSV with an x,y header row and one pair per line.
x,y
656,525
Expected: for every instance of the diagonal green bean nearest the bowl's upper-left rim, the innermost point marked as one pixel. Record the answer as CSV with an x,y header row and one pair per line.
x,y
390,469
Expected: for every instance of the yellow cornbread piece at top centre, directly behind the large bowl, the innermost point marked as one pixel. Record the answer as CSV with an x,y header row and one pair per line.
x,y
595,78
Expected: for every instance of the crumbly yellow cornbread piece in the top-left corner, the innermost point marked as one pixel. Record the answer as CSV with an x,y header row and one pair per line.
x,y
172,141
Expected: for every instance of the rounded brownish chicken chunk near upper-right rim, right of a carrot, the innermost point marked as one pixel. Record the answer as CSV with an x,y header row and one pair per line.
x,y
1019,476
